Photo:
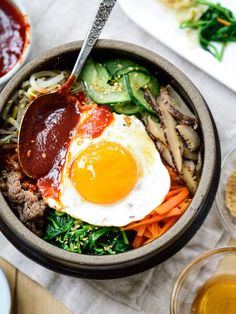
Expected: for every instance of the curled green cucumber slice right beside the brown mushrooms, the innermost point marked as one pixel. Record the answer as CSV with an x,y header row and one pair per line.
x,y
136,84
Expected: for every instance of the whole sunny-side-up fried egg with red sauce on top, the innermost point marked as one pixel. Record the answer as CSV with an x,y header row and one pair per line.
x,y
112,175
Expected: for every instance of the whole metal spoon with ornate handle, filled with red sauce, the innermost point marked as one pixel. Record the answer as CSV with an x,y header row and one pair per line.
x,y
49,119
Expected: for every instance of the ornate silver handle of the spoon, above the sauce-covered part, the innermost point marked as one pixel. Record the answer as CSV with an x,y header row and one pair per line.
x,y
94,32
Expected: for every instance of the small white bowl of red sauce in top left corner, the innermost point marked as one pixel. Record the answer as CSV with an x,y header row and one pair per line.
x,y
14,38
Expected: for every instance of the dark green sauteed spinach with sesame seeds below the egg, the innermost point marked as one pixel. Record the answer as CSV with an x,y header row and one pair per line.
x,y
76,236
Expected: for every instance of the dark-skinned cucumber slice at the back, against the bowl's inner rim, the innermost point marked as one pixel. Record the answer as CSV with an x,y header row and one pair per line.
x,y
120,67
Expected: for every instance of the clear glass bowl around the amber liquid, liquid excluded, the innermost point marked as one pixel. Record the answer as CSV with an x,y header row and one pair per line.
x,y
212,263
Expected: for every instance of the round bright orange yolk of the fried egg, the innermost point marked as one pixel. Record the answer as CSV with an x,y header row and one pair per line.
x,y
104,173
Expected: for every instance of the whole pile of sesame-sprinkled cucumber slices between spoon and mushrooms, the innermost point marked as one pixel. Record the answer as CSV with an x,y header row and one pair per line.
x,y
126,92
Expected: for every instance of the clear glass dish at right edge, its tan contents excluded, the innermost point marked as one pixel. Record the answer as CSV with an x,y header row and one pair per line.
x,y
228,166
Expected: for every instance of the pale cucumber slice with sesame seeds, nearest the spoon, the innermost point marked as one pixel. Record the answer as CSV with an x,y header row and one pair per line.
x,y
96,78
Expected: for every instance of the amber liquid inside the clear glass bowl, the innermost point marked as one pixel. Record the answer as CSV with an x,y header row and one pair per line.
x,y
217,296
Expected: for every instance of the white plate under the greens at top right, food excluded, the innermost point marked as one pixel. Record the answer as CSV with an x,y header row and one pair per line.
x,y
162,23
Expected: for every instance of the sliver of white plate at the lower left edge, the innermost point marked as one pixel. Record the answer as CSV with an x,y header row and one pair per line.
x,y
5,295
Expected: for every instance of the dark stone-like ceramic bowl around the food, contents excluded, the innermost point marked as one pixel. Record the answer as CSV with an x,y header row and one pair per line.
x,y
134,261
